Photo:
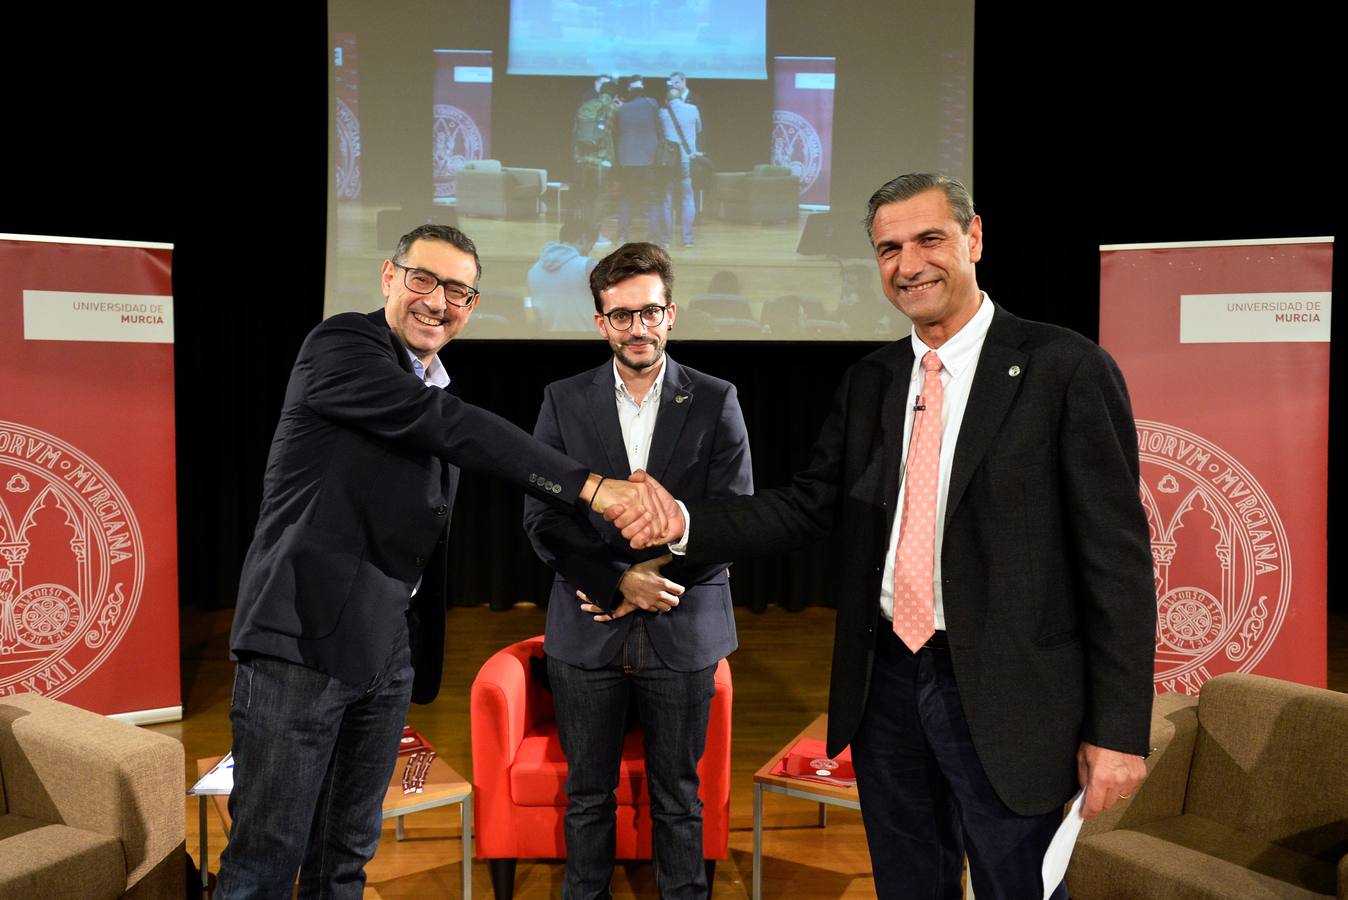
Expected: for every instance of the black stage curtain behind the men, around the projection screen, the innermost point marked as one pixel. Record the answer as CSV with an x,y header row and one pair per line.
x,y
1149,125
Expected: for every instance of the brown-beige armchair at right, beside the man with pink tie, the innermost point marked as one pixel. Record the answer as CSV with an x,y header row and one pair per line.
x,y
1248,797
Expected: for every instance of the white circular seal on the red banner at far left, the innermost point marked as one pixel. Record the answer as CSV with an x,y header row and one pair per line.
x,y
72,564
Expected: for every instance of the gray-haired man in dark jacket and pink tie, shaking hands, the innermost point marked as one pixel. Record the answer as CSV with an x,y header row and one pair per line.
x,y
1024,672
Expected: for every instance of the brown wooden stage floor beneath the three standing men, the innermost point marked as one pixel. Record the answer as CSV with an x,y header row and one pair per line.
x,y
781,685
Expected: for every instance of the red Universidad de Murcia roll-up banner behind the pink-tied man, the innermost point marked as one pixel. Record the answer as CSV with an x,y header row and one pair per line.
x,y
1226,350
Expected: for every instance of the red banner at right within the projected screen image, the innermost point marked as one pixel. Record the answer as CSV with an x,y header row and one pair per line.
x,y
803,123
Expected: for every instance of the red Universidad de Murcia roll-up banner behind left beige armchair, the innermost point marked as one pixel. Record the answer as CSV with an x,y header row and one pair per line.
x,y
88,521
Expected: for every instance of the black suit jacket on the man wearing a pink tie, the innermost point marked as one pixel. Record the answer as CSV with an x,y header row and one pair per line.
x,y
1045,565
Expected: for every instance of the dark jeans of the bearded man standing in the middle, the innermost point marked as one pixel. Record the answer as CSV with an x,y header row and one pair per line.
x,y
591,717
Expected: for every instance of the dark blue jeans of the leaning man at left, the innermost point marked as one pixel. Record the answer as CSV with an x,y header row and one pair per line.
x,y
313,758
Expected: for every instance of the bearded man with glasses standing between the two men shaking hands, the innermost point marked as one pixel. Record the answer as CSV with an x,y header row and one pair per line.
x,y
646,627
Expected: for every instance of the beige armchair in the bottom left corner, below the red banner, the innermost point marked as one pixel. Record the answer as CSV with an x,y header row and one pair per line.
x,y
90,808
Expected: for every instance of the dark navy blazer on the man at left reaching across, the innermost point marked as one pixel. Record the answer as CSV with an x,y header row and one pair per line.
x,y
357,506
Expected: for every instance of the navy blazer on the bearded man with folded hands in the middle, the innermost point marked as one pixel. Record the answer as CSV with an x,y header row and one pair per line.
x,y
700,451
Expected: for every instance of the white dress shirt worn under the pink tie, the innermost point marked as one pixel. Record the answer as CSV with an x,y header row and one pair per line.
x,y
959,360
